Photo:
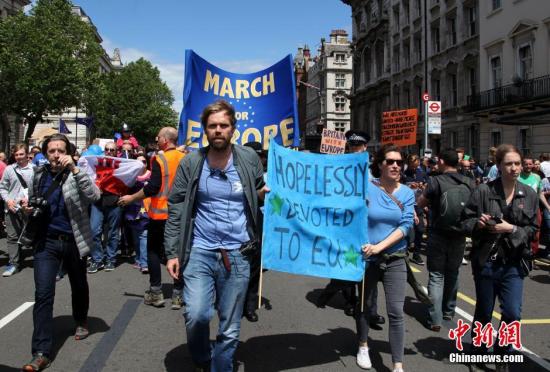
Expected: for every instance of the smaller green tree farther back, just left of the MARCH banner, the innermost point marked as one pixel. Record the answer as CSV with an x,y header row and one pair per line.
x,y
135,95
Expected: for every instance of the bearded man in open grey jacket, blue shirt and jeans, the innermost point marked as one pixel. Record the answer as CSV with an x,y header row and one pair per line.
x,y
213,213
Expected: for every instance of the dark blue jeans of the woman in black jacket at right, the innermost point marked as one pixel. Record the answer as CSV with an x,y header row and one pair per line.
x,y
505,281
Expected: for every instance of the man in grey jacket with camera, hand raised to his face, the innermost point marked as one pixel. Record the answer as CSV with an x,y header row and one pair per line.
x,y
59,228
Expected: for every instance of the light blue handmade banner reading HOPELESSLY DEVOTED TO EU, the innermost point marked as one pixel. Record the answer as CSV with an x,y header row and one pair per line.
x,y
315,217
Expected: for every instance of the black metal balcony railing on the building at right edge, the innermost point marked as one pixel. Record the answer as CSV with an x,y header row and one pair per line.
x,y
520,92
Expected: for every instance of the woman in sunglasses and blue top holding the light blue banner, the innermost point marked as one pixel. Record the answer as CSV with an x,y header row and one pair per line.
x,y
391,211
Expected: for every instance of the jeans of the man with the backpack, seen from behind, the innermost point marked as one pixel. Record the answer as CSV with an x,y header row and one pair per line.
x,y
444,257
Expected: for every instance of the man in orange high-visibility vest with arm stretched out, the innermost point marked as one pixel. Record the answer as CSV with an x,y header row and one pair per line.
x,y
157,188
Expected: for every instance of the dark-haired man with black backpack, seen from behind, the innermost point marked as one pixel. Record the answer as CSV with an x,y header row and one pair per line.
x,y
447,195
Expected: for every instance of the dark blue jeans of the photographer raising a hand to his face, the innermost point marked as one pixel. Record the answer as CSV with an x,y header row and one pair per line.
x,y
48,257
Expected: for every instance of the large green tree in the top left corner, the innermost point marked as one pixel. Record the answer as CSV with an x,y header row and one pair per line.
x,y
49,61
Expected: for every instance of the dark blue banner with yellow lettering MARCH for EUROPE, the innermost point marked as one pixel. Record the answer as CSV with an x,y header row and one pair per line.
x,y
264,101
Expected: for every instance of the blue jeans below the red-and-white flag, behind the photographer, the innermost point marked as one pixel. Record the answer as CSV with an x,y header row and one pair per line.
x,y
111,216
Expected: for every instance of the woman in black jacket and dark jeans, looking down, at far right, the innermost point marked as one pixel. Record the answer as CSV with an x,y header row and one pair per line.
x,y
501,218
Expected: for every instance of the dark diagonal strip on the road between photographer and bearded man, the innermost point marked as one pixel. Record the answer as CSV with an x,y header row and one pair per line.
x,y
98,358
